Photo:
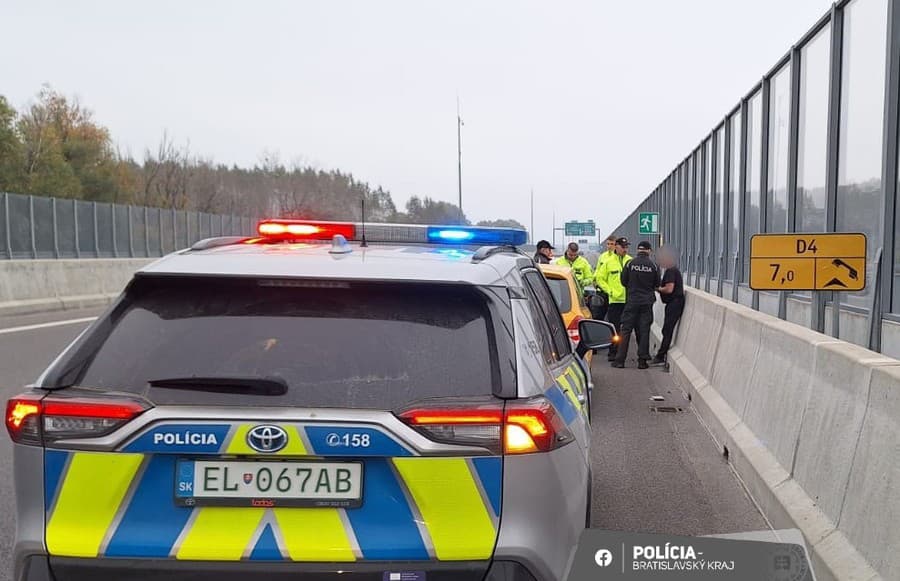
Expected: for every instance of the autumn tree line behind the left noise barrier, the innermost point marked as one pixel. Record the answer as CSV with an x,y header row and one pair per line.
x,y
54,147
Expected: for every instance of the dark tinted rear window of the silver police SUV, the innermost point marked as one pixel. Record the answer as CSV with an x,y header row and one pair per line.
x,y
370,346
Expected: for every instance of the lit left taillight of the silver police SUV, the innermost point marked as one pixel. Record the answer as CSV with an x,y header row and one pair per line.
x,y
31,419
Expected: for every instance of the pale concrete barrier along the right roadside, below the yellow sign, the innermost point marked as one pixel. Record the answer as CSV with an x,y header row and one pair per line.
x,y
810,423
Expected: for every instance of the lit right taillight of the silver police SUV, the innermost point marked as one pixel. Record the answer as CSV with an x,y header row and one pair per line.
x,y
522,427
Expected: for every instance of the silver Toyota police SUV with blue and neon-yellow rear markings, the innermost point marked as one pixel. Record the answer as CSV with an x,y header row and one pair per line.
x,y
384,402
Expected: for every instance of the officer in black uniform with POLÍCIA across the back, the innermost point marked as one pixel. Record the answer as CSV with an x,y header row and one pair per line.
x,y
641,279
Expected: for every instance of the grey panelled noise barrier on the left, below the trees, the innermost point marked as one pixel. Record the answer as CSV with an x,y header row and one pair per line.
x,y
45,227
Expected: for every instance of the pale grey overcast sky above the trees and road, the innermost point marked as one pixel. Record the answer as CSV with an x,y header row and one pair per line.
x,y
589,103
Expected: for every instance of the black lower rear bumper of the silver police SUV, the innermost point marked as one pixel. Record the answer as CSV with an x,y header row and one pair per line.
x,y
43,568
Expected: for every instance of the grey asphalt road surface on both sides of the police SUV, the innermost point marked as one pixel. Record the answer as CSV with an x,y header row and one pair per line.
x,y
653,472
